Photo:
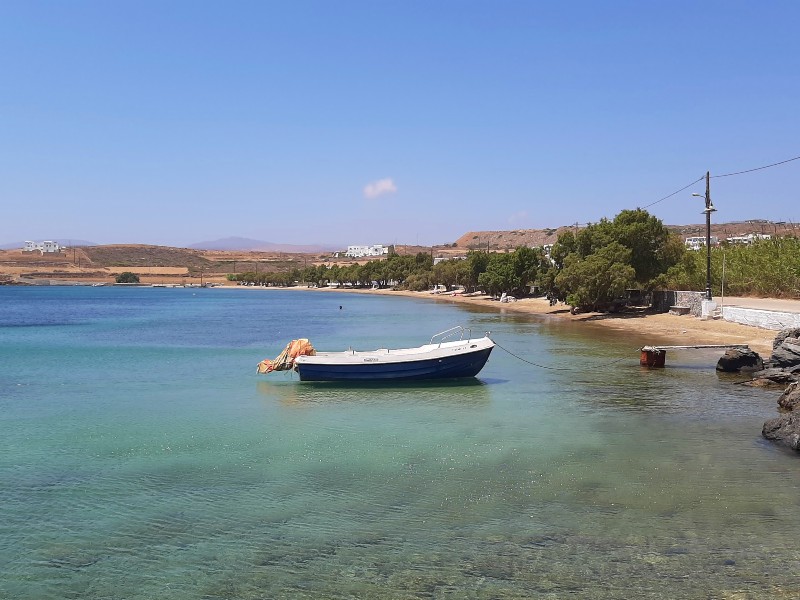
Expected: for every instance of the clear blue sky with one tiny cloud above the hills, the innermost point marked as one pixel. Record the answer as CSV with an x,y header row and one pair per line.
x,y
347,122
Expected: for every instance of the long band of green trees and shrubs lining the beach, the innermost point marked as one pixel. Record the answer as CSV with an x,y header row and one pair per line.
x,y
590,269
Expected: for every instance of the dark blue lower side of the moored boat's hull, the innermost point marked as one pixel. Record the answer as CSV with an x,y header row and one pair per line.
x,y
465,365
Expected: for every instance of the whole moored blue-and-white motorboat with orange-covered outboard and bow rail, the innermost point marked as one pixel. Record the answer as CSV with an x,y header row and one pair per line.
x,y
441,358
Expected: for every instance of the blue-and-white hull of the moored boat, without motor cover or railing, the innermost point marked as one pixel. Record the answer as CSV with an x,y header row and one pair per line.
x,y
457,361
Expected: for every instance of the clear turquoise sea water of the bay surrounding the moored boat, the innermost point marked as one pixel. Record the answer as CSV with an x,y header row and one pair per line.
x,y
142,456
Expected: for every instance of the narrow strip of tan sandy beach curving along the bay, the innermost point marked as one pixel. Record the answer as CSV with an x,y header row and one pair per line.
x,y
664,328
